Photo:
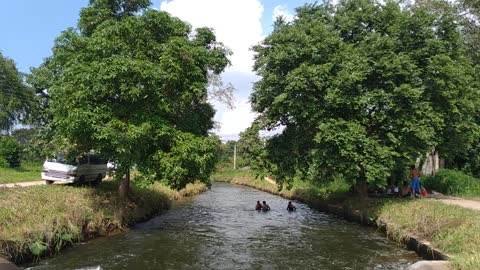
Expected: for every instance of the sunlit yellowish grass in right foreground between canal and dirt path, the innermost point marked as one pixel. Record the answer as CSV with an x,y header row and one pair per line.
x,y
451,229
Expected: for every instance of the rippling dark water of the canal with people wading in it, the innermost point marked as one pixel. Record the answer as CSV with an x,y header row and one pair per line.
x,y
220,230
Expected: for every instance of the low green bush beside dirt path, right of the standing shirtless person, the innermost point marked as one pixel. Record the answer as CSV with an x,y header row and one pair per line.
x,y
453,182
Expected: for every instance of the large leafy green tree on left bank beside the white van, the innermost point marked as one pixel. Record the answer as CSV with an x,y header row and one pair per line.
x,y
131,82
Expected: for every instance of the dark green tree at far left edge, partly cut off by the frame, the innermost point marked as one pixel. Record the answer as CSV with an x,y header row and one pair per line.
x,y
16,98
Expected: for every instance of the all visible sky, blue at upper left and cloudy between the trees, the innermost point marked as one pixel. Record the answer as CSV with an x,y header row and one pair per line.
x,y
28,29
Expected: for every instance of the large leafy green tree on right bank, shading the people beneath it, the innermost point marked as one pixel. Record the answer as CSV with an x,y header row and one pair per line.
x,y
361,85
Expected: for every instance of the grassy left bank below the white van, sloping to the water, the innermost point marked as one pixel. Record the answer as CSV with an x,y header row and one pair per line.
x,y
41,220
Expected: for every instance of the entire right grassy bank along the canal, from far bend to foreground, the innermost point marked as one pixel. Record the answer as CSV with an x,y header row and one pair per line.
x,y
433,229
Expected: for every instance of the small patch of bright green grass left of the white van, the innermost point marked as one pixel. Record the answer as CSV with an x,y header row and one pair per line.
x,y
28,171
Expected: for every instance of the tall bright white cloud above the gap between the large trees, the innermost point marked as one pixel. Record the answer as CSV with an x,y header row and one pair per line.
x,y
236,23
